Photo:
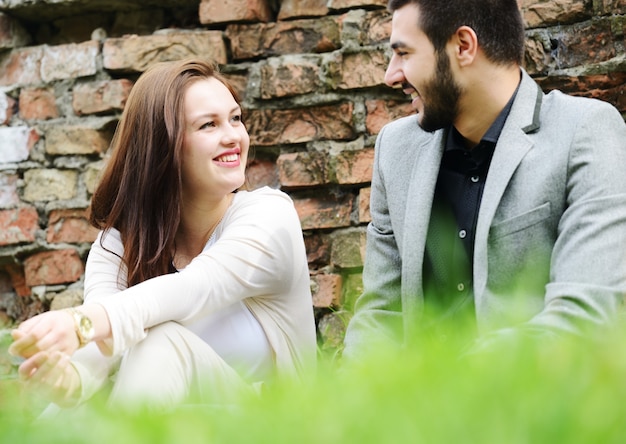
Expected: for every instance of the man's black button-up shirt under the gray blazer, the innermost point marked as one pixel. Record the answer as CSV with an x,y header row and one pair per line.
x,y
448,266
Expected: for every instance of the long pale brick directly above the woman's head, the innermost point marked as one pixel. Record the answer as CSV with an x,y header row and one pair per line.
x,y
137,53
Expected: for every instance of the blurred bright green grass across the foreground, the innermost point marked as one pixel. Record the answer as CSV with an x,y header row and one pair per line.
x,y
553,392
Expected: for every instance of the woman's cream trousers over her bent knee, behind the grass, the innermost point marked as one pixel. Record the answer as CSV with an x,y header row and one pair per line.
x,y
172,367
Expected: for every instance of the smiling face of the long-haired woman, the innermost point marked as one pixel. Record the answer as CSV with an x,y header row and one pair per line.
x,y
216,142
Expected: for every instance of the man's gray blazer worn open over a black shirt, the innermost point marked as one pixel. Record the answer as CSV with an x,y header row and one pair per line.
x,y
550,247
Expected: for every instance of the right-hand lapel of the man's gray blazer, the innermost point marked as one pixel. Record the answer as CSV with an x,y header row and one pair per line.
x,y
513,144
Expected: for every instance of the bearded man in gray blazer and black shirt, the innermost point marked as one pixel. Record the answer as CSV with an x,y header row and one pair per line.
x,y
495,199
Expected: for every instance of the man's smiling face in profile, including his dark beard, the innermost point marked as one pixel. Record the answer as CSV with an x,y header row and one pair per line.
x,y
422,72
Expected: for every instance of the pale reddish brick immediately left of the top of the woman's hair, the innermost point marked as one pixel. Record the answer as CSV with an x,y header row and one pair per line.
x,y
101,97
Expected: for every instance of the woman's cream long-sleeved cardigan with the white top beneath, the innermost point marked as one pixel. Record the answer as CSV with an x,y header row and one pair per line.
x,y
255,274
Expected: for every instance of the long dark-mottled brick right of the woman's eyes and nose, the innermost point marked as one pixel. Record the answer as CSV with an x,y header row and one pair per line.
x,y
272,127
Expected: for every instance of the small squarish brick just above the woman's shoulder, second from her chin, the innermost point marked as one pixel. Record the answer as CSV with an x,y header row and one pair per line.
x,y
302,169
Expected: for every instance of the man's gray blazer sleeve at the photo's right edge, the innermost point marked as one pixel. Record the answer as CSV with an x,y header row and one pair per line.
x,y
588,267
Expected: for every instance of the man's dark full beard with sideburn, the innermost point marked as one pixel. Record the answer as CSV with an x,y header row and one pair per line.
x,y
440,97
